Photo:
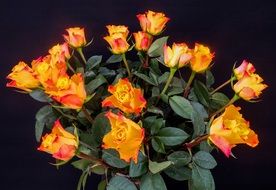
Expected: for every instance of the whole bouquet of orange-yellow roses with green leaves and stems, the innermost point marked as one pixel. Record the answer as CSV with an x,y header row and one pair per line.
x,y
131,121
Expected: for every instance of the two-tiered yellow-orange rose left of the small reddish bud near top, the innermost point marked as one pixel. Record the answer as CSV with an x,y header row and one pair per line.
x,y
117,38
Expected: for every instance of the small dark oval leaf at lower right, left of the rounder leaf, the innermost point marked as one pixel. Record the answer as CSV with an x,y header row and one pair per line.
x,y
180,158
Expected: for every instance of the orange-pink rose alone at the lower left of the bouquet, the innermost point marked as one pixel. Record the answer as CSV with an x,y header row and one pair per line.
x,y
60,143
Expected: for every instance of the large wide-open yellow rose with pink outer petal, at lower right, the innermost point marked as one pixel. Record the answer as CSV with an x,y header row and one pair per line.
x,y
231,129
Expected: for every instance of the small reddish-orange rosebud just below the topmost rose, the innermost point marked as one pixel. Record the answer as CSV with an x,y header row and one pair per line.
x,y
143,40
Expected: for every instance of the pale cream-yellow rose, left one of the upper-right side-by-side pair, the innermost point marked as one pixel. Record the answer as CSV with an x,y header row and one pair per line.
x,y
177,56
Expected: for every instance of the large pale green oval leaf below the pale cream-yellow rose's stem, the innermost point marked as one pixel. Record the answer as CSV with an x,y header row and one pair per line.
x,y
181,106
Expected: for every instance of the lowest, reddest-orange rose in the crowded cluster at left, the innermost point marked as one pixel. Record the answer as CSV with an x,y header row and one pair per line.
x,y
70,92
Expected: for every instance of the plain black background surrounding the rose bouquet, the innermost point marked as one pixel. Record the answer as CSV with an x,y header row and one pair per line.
x,y
235,30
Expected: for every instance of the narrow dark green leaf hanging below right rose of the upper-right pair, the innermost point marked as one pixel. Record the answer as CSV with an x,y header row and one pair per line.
x,y
201,93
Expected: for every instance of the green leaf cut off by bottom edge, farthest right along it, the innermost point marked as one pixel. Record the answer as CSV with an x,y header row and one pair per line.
x,y
201,179
